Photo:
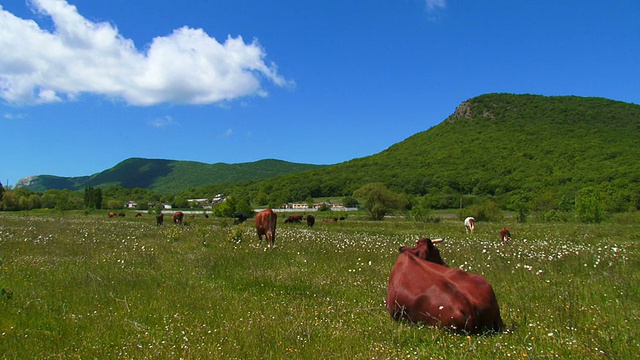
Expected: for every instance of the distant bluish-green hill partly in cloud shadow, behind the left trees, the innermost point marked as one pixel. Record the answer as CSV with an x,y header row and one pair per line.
x,y
167,176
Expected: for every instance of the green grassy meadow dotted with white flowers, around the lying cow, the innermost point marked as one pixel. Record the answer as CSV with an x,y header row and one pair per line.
x,y
87,286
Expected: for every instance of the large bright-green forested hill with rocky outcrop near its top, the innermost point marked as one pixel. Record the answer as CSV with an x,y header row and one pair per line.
x,y
496,144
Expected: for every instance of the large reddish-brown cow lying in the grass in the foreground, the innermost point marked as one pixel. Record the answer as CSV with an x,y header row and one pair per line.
x,y
423,289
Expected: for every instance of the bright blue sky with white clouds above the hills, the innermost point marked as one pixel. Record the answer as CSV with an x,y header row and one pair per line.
x,y
85,84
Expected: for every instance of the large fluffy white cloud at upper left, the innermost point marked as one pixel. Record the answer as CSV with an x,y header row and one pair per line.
x,y
80,56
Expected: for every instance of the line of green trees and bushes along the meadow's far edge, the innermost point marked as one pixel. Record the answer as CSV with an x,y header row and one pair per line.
x,y
591,204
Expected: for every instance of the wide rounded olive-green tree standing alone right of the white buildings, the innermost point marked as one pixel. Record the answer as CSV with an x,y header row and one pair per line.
x,y
379,201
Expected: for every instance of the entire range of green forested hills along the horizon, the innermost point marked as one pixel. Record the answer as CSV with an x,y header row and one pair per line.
x,y
493,144
